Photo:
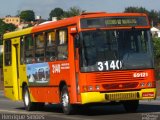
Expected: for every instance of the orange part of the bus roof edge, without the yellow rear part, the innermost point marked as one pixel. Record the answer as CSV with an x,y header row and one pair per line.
x,y
76,19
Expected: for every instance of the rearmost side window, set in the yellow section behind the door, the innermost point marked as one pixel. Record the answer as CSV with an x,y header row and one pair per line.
x,y
7,53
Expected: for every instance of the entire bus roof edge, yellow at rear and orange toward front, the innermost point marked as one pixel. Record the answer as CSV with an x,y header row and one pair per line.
x,y
66,22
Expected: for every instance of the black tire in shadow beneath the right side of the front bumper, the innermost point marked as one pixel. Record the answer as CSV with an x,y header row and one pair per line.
x,y
131,106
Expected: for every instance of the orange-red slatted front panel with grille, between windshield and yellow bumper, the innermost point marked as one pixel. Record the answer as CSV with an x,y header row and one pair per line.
x,y
115,80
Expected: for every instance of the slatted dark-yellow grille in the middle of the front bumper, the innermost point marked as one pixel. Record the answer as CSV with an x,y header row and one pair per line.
x,y
122,96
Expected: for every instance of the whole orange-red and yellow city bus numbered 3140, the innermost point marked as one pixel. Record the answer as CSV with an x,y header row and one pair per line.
x,y
92,58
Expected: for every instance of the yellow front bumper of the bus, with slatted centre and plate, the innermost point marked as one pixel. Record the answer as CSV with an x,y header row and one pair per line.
x,y
97,97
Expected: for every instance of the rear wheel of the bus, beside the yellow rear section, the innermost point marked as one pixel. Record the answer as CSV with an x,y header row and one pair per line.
x,y
29,106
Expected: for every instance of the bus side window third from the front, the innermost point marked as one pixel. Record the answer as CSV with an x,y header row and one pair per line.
x,y
40,45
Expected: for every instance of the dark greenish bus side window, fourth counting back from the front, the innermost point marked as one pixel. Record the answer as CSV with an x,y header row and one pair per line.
x,y
29,49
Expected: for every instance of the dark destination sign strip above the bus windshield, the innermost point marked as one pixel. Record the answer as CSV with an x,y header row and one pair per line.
x,y
114,22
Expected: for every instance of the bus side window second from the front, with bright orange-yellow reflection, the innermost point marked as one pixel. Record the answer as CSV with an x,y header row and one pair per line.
x,y
51,46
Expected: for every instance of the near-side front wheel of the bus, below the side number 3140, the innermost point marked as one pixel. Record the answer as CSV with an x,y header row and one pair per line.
x,y
65,102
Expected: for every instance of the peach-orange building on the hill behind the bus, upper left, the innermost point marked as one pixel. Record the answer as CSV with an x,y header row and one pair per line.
x,y
11,19
